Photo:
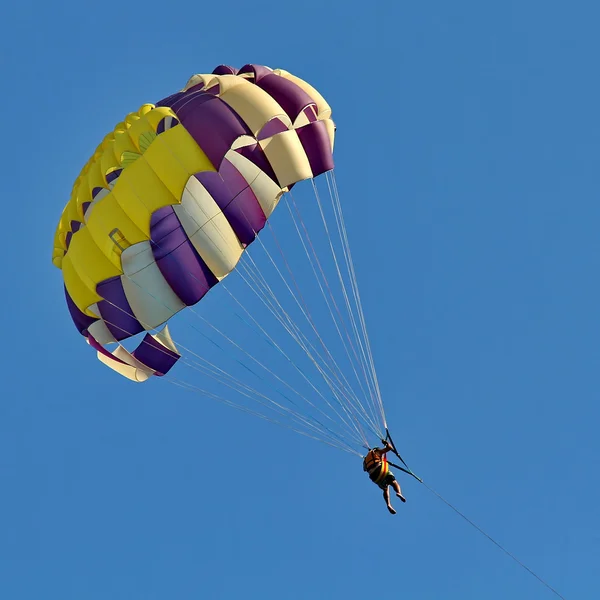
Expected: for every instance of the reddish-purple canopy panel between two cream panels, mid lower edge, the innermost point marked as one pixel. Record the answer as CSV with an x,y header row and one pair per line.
x,y
236,199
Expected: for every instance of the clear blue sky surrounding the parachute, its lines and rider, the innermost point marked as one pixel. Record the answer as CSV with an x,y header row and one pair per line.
x,y
466,156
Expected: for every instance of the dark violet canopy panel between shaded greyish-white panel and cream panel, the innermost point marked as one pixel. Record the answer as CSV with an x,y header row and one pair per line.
x,y
179,262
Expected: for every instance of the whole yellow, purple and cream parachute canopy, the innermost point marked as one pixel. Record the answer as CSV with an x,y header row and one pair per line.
x,y
170,200
